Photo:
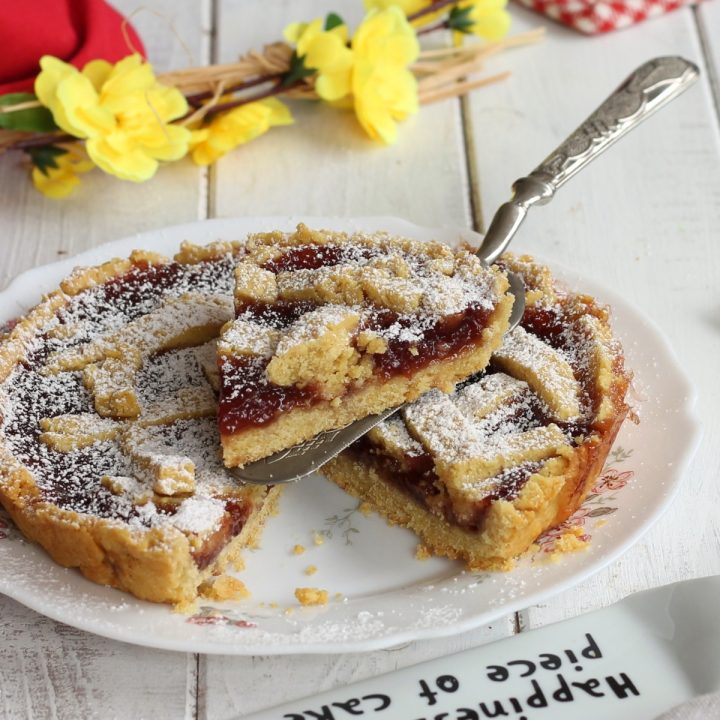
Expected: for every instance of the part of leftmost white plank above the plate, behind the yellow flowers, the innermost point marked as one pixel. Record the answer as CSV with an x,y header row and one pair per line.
x,y
36,230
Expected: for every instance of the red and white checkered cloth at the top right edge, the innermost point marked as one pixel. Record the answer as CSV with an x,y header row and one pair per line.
x,y
598,16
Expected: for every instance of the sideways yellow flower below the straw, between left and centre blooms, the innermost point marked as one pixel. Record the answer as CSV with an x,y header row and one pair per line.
x,y
236,127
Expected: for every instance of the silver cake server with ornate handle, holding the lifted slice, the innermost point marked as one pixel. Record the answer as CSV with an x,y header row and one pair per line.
x,y
645,91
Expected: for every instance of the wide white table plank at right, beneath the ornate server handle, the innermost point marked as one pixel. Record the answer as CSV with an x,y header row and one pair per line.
x,y
643,220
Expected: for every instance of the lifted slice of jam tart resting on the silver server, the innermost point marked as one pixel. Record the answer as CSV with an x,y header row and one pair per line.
x,y
330,328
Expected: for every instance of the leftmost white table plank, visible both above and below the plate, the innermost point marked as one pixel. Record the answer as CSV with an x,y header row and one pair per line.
x,y
49,670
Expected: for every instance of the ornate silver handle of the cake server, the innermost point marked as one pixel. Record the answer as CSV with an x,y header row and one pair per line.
x,y
651,86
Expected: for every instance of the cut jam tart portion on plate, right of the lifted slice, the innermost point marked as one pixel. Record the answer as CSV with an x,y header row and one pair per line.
x,y
479,474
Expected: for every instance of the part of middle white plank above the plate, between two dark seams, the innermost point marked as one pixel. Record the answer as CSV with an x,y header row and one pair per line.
x,y
324,165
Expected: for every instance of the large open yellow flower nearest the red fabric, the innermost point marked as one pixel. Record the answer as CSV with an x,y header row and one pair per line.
x,y
121,110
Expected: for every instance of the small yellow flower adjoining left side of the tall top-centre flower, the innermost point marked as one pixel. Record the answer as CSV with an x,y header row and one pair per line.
x,y
327,52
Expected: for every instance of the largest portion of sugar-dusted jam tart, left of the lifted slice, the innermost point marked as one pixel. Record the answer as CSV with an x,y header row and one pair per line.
x,y
109,452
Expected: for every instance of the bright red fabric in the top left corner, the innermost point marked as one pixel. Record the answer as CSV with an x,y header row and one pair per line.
x,y
75,31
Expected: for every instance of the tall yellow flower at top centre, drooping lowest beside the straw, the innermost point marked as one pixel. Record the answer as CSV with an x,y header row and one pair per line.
x,y
384,90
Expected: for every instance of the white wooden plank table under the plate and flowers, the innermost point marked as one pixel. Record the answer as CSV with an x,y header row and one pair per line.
x,y
645,221
